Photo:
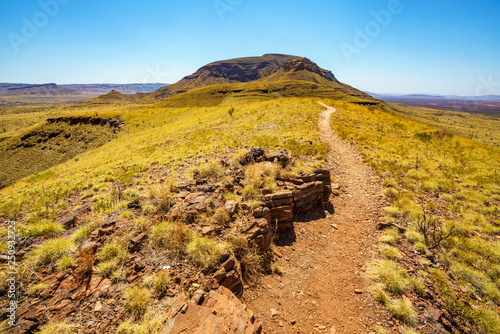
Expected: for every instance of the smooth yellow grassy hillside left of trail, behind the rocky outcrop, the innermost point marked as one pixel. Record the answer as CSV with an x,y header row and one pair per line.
x,y
162,139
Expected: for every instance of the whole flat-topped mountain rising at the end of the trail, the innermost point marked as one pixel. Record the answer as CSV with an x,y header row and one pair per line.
x,y
255,79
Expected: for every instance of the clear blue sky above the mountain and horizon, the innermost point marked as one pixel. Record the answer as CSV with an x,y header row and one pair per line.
x,y
425,46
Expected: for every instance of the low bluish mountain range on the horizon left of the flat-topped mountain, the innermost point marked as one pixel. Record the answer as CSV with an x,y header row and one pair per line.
x,y
52,89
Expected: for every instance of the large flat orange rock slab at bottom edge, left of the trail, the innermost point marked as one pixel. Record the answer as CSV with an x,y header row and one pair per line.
x,y
216,312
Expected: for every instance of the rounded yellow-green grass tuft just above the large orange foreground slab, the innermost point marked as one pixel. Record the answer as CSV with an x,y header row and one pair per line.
x,y
204,251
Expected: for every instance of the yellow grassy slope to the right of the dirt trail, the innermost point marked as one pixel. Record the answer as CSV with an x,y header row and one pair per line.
x,y
455,181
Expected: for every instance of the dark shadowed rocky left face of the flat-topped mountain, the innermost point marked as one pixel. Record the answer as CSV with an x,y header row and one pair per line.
x,y
226,71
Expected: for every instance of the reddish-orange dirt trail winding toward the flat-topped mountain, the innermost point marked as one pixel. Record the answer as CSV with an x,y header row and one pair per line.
x,y
323,288
